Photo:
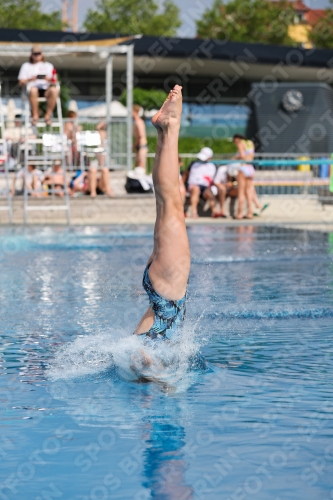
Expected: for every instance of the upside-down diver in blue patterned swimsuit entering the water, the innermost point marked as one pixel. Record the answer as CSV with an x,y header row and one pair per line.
x,y
166,275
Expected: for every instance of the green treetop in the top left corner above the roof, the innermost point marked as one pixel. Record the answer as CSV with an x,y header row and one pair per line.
x,y
27,14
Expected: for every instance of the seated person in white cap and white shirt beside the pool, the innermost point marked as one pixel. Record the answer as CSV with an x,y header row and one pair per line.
x,y
199,177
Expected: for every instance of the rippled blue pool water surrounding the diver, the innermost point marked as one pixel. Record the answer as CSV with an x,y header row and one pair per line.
x,y
252,421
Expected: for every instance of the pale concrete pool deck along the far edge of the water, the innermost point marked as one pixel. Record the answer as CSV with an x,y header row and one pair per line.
x,y
288,211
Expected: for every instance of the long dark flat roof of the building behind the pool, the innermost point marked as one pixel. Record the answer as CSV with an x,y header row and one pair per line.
x,y
181,57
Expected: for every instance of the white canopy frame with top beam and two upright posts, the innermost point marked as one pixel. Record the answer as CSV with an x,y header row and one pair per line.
x,y
105,52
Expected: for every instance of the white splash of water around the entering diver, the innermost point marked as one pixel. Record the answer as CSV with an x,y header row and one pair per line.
x,y
166,363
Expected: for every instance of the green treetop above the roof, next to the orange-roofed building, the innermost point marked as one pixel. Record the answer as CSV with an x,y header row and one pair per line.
x,y
257,21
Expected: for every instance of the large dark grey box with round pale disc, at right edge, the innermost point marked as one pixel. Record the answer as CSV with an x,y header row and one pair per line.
x,y
291,117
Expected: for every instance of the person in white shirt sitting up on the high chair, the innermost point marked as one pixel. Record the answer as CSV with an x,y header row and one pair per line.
x,y
38,76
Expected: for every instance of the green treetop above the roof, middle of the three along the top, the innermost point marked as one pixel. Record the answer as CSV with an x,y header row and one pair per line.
x,y
134,17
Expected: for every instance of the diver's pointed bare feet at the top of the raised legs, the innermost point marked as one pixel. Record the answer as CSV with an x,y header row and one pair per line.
x,y
170,113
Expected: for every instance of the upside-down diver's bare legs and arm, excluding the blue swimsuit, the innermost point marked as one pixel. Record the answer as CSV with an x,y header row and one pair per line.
x,y
170,260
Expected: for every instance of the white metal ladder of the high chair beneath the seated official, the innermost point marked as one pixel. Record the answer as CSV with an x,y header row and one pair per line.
x,y
49,145
